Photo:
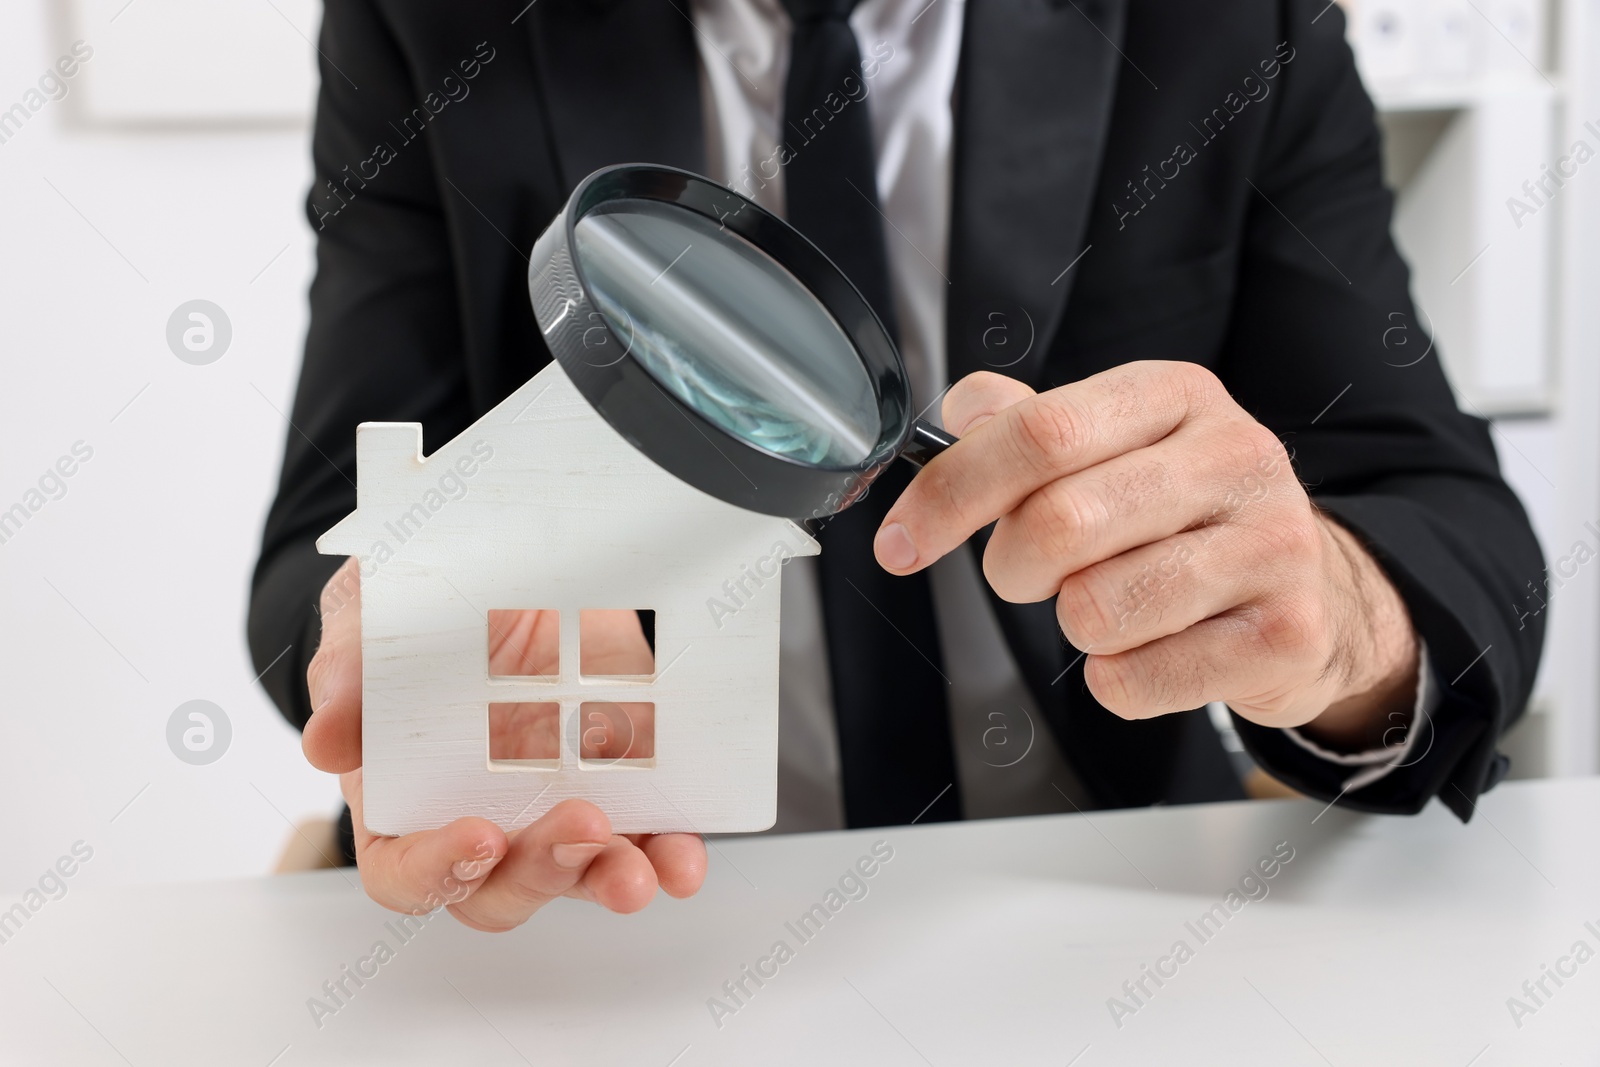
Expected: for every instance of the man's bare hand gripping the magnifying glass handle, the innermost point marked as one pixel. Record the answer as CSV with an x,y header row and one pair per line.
x,y
1186,559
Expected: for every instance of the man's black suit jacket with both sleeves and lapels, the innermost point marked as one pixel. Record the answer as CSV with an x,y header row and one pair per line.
x,y
1132,180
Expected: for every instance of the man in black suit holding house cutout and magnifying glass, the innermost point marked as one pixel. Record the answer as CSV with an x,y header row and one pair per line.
x,y
1146,239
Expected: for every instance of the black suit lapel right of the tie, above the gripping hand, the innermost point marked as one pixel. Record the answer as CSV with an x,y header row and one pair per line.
x,y
1031,110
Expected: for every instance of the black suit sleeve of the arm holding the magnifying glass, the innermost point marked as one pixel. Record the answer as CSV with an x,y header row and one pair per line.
x,y
1326,348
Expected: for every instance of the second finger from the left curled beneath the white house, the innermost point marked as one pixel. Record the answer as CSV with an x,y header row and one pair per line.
x,y
546,860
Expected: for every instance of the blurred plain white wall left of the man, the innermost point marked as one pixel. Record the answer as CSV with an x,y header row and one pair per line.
x,y
126,597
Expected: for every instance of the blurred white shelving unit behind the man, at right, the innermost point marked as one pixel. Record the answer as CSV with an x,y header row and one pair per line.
x,y
1481,102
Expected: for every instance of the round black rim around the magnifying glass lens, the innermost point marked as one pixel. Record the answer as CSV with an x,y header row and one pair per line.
x,y
658,423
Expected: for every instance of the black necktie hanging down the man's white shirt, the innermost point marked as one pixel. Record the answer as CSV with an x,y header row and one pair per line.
x,y
882,639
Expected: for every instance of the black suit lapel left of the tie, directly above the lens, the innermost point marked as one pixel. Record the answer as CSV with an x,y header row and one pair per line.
x,y
622,84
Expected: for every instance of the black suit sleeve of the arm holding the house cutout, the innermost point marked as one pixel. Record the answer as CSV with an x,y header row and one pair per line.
x,y
385,338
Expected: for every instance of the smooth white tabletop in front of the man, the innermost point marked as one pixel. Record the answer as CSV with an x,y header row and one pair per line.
x,y
1385,941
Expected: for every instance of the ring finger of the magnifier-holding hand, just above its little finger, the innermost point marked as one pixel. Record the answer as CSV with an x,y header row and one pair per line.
x,y
1159,589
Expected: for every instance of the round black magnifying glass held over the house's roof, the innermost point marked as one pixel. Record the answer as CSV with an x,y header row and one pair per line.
x,y
722,343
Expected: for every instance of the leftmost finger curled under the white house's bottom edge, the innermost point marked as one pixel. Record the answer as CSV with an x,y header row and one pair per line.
x,y
423,871
